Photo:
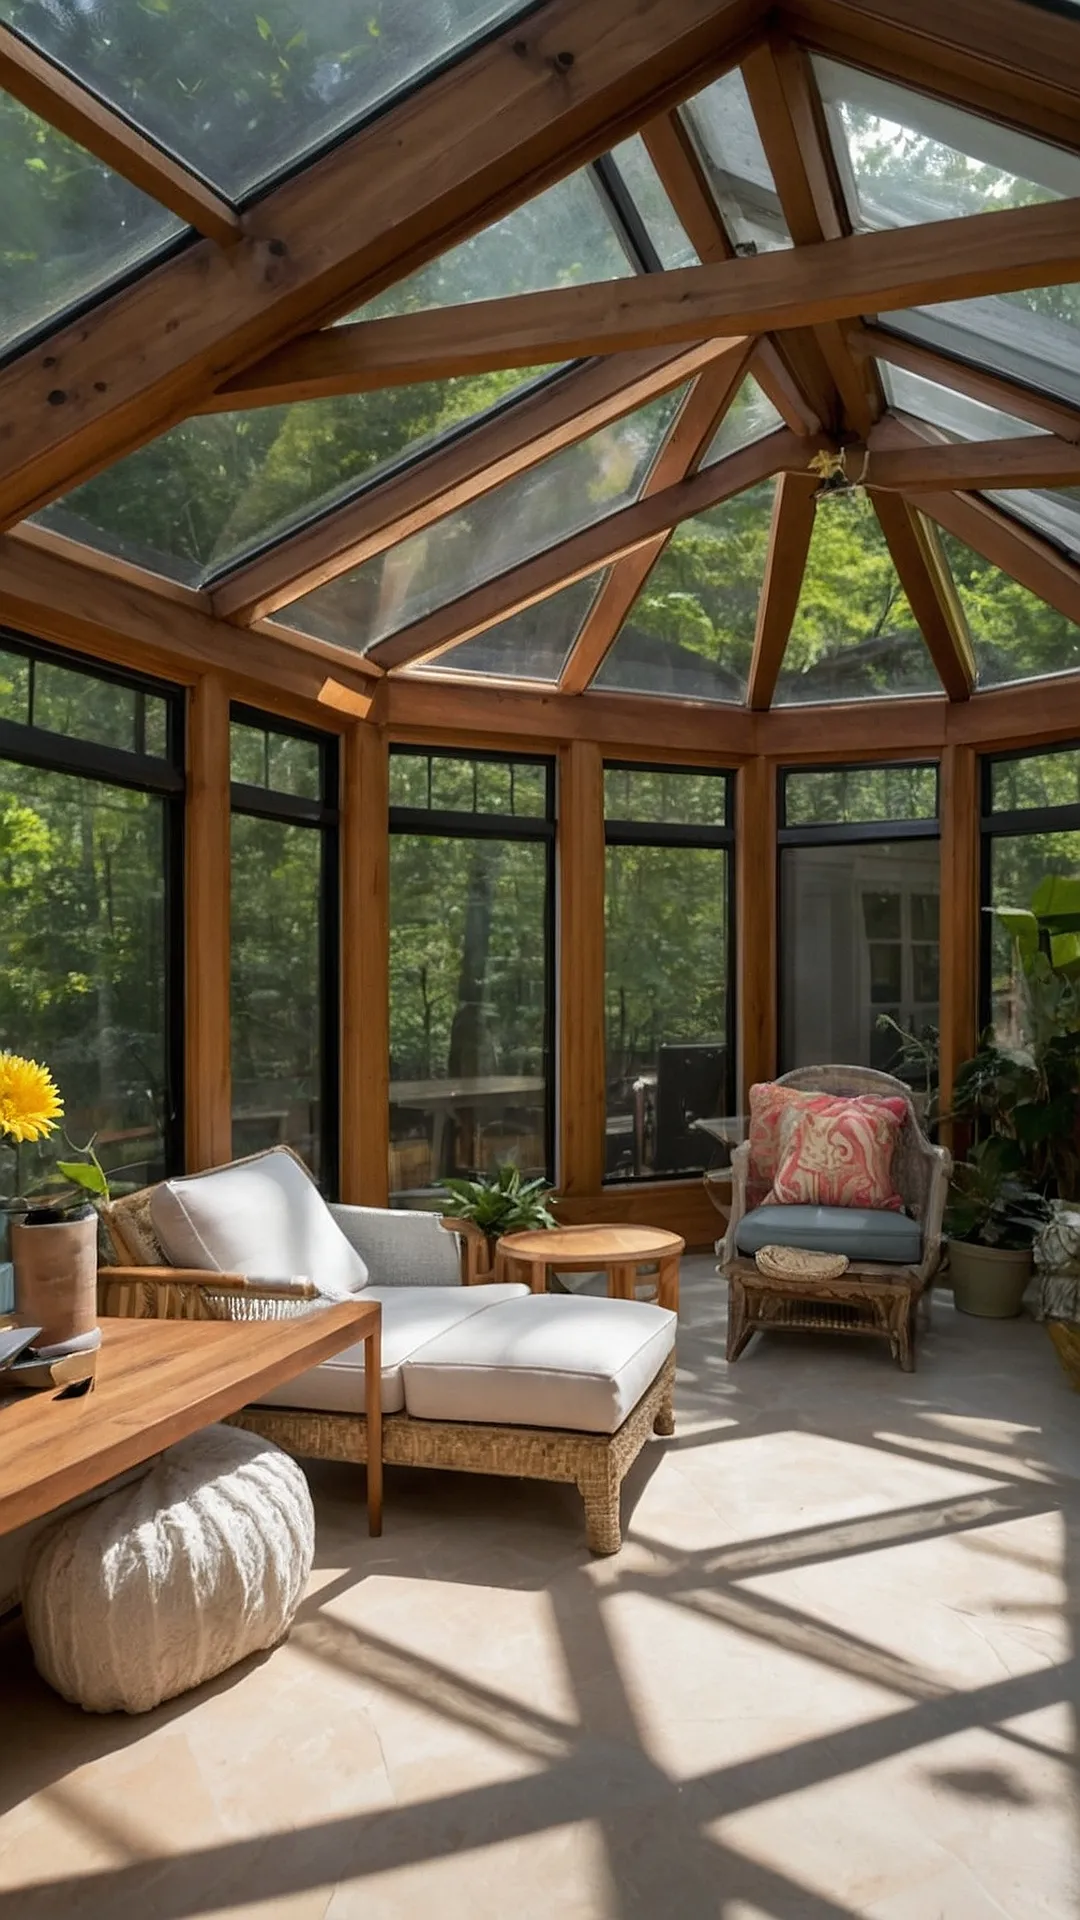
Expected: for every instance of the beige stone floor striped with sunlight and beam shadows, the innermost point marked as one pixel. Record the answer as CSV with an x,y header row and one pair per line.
x,y
831,1675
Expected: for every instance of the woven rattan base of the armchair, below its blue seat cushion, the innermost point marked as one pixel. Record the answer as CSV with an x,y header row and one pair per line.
x,y
871,1301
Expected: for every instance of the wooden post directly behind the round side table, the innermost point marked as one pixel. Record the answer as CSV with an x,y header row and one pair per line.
x,y
581,971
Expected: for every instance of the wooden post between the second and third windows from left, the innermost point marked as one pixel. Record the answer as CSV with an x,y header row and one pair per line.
x,y
366,969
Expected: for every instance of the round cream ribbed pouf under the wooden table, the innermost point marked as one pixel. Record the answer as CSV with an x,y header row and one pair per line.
x,y
168,1583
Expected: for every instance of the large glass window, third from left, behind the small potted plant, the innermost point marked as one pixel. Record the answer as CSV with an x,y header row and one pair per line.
x,y
472,928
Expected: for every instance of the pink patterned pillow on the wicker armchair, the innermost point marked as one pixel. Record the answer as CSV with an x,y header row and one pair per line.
x,y
841,1157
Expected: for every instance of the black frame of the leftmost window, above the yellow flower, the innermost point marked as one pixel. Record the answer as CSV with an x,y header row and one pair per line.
x,y
166,779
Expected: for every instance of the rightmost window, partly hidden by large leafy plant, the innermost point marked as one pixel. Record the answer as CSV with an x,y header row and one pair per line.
x,y
1031,830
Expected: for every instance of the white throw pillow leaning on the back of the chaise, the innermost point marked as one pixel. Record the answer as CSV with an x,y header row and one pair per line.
x,y
260,1218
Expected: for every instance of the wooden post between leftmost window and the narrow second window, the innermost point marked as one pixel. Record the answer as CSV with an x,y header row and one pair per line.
x,y
209,1076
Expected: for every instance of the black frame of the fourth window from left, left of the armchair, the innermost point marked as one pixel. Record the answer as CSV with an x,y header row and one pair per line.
x,y
675,834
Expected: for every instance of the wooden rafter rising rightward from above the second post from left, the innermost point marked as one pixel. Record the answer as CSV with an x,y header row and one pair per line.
x,y
583,554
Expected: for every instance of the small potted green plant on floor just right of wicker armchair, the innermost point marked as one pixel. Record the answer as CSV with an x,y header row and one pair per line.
x,y
993,1220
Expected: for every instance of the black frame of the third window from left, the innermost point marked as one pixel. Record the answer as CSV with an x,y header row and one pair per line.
x,y
445,823
